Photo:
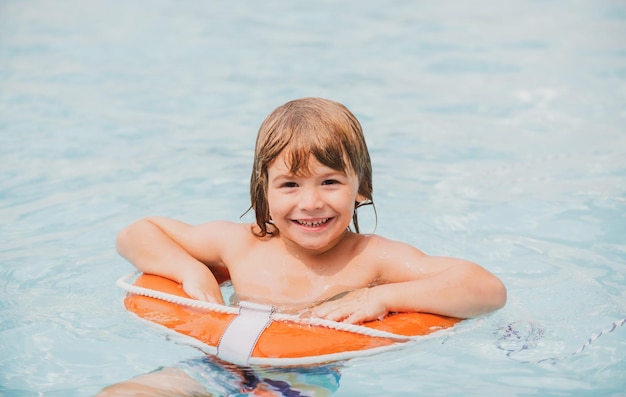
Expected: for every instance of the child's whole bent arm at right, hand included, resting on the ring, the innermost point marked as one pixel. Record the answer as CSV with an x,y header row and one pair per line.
x,y
414,282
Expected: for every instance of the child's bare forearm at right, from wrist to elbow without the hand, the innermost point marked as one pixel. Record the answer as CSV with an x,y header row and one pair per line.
x,y
463,291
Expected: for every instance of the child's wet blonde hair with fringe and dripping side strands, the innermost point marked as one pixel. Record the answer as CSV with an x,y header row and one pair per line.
x,y
321,127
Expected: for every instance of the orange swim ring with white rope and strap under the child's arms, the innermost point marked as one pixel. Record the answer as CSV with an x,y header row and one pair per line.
x,y
253,334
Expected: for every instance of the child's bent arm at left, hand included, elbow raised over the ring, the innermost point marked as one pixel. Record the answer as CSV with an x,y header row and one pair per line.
x,y
177,251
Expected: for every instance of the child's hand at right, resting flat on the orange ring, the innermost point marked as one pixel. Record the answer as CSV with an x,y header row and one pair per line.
x,y
355,307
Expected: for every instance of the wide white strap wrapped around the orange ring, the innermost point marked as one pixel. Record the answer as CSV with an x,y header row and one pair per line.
x,y
243,332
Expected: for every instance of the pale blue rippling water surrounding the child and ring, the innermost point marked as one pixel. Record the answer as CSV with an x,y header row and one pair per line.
x,y
497,132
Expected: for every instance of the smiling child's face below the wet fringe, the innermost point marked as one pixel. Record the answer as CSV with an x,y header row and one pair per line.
x,y
312,211
